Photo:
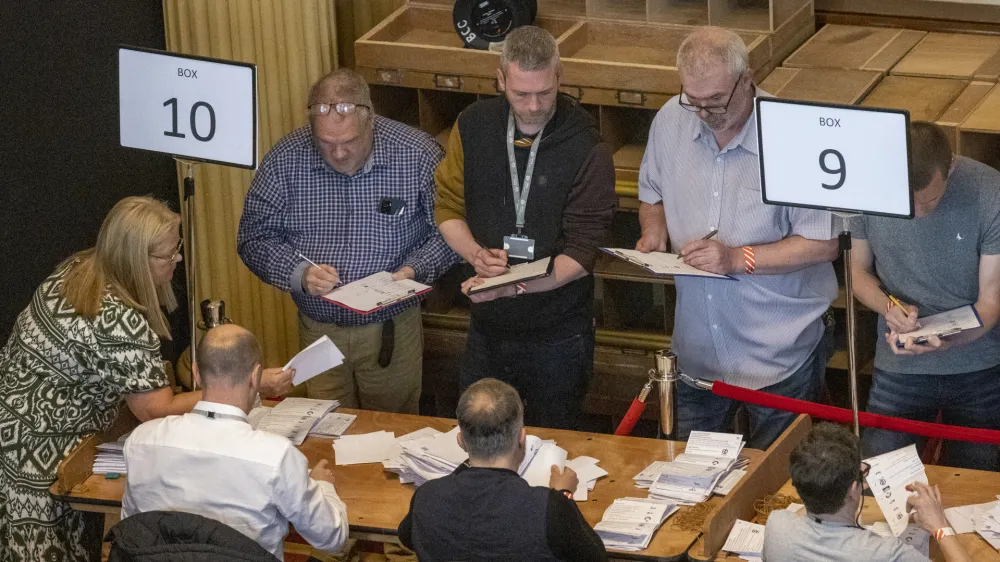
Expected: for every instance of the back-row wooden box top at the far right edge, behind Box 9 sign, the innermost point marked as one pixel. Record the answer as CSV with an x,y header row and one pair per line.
x,y
953,55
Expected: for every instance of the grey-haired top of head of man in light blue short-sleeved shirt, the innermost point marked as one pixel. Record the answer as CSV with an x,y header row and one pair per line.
x,y
708,49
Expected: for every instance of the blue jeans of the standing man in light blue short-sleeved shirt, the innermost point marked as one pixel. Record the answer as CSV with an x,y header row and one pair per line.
x,y
700,410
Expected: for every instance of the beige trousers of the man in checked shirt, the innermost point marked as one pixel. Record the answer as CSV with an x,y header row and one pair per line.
x,y
360,382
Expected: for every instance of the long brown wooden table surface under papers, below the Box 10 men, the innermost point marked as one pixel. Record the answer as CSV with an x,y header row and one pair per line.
x,y
377,502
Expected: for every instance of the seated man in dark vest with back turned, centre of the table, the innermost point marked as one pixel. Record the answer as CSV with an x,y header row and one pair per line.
x,y
484,511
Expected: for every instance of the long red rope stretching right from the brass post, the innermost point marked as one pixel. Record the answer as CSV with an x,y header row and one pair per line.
x,y
844,415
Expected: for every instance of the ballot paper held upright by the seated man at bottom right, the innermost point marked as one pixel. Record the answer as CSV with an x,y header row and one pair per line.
x,y
888,478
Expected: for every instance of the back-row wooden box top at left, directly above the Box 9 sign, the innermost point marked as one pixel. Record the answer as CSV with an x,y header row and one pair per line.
x,y
855,48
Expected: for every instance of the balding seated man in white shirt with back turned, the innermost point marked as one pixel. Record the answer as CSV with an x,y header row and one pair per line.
x,y
212,463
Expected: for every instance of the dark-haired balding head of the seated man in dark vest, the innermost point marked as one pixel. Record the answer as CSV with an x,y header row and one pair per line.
x,y
490,417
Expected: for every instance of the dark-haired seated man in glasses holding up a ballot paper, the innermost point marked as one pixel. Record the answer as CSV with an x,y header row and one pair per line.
x,y
828,475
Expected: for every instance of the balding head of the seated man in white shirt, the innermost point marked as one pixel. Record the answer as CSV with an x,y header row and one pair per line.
x,y
227,356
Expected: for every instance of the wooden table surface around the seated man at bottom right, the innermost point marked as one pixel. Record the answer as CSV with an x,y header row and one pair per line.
x,y
958,487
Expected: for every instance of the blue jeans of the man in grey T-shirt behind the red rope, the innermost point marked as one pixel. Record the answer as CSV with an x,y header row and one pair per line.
x,y
968,400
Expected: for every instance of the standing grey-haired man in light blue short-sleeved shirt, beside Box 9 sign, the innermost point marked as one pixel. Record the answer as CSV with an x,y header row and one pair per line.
x,y
700,174
